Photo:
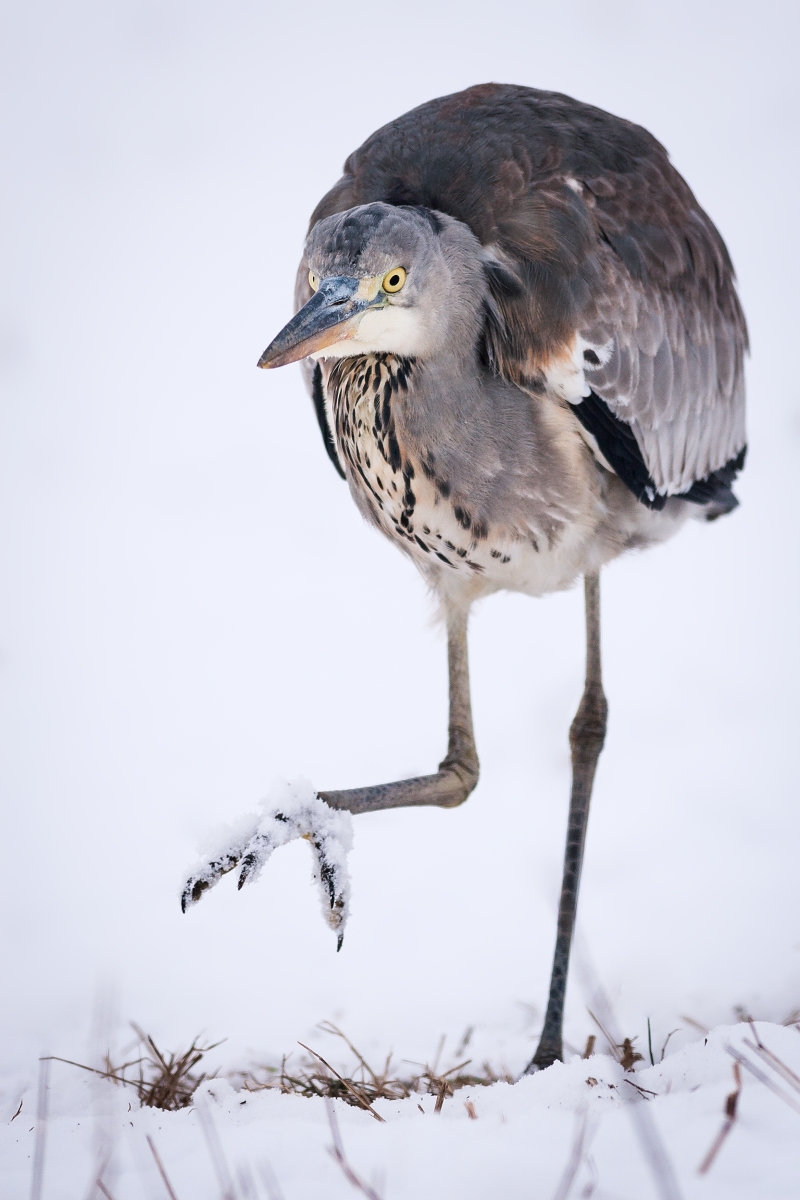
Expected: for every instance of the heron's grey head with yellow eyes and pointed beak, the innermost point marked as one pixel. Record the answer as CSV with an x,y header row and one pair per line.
x,y
383,280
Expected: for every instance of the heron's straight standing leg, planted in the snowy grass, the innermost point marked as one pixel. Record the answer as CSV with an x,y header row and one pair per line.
x,y
587,737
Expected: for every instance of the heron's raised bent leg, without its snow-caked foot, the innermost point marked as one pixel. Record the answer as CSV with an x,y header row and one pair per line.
x,y
459,771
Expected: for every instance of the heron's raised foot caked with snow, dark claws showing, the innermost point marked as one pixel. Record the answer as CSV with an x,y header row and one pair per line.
x,y
292,812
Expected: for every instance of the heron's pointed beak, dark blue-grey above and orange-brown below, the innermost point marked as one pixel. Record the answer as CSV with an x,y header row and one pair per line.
x,y
333,315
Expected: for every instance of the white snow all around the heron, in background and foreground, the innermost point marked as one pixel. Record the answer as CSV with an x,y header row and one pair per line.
x,y
187,585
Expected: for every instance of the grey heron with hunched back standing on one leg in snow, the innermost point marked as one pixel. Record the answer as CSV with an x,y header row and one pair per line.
x,y
525,347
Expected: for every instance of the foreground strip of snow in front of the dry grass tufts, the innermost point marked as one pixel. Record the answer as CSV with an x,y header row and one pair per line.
x,y
581,1129
